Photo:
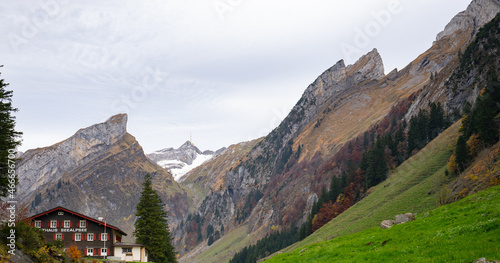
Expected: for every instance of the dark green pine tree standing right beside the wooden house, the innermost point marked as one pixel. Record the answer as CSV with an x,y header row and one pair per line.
x,y
151,227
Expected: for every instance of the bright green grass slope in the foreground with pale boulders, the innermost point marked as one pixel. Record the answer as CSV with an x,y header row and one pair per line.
x,y
459,232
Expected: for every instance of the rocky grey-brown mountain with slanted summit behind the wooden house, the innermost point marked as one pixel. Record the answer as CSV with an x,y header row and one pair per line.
x,y
98,171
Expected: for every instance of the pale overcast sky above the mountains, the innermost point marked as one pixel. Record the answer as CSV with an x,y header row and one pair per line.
x,y
224,70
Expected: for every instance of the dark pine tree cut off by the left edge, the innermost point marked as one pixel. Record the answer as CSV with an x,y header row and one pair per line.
x,y
8,137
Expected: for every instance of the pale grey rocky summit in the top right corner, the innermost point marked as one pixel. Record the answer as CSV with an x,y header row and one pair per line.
x,y
477,14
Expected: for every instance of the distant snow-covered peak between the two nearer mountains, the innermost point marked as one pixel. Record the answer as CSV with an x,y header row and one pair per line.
x,y
183,159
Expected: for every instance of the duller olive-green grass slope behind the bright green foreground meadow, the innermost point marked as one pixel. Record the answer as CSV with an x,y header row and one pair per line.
x,y
412,187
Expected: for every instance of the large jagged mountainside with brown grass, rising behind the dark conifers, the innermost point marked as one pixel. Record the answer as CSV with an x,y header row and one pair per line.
x,y
282,175
